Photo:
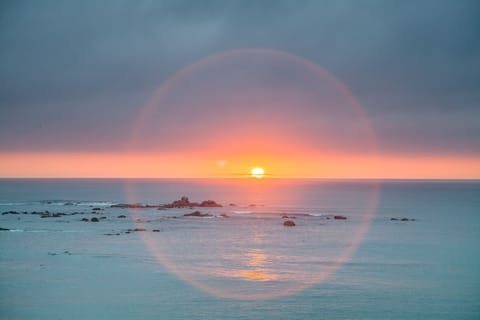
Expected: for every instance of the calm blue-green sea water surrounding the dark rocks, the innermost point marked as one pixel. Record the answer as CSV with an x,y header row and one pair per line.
x,y
240,262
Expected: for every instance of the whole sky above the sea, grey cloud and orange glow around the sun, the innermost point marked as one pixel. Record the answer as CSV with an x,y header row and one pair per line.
x,y
77,79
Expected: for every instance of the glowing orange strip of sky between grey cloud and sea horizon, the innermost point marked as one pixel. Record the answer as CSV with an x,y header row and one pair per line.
x,y
202,165
